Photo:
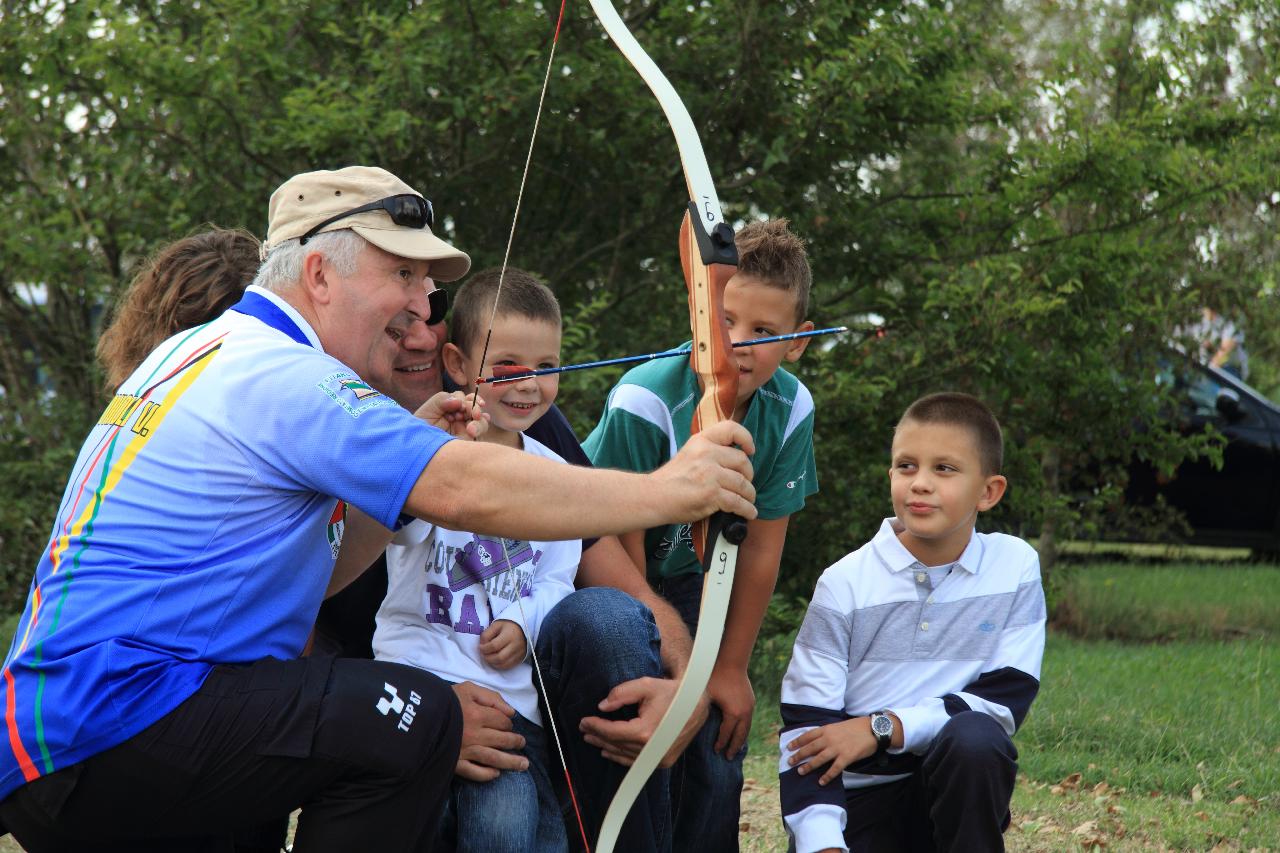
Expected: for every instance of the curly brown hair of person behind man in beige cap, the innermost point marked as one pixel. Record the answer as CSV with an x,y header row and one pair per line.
x,y
186,284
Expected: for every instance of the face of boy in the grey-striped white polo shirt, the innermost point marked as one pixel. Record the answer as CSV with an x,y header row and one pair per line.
x,y
939,487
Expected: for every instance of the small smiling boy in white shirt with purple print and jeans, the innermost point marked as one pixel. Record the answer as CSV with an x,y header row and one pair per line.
x,y
467,606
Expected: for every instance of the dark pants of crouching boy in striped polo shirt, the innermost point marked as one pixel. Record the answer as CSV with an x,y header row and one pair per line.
x,y
957,801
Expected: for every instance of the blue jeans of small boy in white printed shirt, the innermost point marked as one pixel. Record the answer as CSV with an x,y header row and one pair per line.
x,y
515,813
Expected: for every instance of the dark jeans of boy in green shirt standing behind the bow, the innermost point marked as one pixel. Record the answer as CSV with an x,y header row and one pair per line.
x,y
706,787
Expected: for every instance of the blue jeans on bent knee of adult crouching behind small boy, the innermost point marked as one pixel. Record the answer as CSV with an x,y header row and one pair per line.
x,y
589,644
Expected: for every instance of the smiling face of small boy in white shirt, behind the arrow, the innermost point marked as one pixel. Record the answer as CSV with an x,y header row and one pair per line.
x,y
513,407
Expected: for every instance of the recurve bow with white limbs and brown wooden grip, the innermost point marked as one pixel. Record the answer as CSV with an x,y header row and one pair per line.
x,y
710,259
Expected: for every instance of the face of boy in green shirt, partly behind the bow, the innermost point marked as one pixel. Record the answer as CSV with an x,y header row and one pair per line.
x,y
755,309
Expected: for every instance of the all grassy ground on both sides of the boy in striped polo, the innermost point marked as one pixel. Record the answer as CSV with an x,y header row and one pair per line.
x,y
1132,745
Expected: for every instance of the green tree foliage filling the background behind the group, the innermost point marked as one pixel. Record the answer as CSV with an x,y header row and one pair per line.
x,y
1028,199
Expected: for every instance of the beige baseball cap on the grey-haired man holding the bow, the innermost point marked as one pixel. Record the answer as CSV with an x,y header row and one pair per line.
x,y
308,200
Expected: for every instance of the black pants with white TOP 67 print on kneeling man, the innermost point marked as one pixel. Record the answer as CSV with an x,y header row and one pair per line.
x,y
365,749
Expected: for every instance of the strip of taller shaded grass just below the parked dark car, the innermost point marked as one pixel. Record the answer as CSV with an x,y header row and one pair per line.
x,y
1163,603
